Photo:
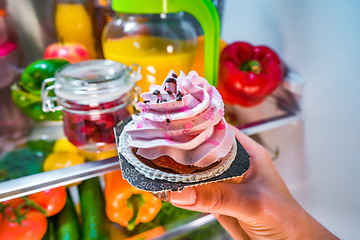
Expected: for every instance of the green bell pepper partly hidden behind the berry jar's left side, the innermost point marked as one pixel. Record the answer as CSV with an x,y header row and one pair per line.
x,y
27,93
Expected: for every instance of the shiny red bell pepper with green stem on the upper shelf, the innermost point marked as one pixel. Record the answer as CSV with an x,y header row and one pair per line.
x,y
248,74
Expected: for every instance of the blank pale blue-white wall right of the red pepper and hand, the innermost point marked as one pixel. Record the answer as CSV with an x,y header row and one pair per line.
x,y
319,158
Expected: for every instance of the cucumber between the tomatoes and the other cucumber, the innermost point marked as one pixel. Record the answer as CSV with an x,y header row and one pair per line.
x,y
66,223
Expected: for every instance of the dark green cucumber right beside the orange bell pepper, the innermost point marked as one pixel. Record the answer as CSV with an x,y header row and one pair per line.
x,y
92,203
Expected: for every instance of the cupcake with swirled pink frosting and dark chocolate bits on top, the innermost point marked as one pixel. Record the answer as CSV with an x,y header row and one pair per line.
x,y
180,134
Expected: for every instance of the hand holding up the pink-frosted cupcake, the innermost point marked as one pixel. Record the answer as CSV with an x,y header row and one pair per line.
x,y
261,207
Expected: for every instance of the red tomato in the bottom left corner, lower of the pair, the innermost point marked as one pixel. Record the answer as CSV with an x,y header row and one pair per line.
x,y
33,226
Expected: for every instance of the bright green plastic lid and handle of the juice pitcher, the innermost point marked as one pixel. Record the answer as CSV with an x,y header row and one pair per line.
x,y
203,10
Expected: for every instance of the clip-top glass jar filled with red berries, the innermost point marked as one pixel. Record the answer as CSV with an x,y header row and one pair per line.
x,y
94,96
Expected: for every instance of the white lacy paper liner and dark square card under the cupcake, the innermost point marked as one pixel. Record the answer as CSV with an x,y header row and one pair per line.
x,y
235,164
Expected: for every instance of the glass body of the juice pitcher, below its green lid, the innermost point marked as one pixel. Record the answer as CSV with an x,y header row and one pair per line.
x,y
157,42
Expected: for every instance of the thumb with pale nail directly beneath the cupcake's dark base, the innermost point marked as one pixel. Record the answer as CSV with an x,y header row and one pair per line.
x,y
219,198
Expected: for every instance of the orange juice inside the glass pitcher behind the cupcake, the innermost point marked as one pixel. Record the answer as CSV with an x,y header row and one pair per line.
x,y
156,56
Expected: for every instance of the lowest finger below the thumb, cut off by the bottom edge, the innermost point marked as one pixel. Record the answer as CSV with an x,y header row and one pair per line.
x,y
232,226
